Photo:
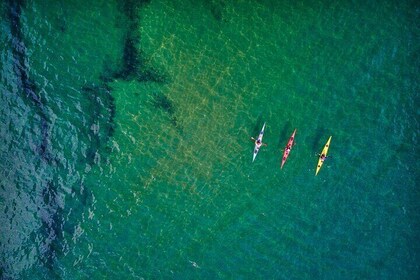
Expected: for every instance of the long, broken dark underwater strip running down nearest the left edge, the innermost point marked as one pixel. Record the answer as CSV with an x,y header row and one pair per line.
x,y
51,214
